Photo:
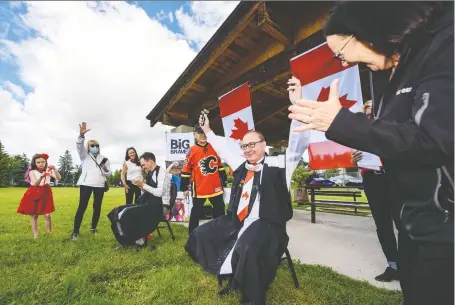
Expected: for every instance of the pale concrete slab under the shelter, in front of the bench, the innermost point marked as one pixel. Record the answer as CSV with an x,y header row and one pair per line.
x,y
348,244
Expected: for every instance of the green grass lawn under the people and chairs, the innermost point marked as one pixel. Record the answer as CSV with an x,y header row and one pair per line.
x,y
93,270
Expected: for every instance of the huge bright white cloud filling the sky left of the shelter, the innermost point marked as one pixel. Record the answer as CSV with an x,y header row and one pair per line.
x,y
105,63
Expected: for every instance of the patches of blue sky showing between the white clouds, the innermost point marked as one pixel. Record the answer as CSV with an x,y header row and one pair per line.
x,y
11,29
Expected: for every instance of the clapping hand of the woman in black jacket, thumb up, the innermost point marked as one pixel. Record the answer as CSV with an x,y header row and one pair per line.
x,y
317,115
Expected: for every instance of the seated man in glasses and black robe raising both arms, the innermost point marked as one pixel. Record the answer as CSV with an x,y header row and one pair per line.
x,y
246,244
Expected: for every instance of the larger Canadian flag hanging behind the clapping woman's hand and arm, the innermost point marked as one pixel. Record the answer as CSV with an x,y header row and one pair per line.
x,y
316,69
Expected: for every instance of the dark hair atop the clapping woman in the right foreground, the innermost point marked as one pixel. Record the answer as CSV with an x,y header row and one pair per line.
x,y
388,27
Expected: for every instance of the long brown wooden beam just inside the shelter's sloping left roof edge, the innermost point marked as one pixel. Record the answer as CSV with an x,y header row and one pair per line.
x,y
233,34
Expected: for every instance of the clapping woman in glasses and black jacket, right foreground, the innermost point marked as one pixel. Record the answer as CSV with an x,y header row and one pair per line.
x,y
410,49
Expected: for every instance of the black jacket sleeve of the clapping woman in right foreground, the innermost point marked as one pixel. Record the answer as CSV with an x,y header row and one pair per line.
x,y
427,138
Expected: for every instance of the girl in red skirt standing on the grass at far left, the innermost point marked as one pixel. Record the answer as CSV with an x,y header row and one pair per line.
x,y
38,199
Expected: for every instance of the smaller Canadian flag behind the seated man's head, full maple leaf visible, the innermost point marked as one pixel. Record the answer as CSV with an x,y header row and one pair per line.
x,y
236,114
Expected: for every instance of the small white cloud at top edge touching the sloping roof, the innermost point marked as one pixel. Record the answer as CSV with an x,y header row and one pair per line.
x,y
203,19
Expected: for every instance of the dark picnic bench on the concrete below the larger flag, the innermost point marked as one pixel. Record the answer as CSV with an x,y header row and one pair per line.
x,y
332,204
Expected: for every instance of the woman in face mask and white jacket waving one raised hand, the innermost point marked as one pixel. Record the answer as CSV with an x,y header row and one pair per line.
x,y
95,169
